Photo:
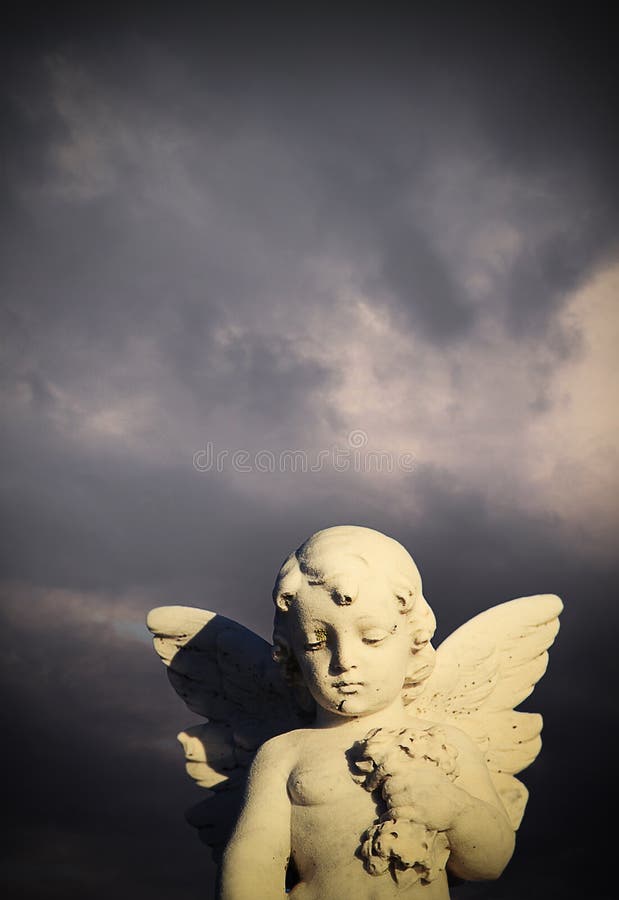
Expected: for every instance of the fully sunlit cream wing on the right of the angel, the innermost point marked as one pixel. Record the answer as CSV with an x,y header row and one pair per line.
x,y
485,669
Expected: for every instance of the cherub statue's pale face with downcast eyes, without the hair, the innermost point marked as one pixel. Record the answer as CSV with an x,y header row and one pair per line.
x,y
353,658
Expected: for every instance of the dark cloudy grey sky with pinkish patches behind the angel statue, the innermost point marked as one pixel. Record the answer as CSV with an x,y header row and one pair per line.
x,y
266,273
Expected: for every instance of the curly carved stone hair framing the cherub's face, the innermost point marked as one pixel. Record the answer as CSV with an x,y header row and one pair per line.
x,y
338,558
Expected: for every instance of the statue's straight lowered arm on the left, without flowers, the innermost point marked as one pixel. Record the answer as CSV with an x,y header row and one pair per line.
x,y
256,858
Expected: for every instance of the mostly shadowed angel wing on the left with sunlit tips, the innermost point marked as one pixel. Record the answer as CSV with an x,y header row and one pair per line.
x,y
225,673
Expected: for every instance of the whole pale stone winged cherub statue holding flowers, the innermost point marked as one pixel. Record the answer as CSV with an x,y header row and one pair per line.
x,y
352,761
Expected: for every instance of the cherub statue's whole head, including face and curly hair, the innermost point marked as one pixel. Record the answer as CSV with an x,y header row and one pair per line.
x,y
351,625
